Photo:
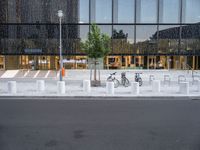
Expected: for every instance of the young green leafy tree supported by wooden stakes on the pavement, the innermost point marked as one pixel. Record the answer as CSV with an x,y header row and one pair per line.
x,y
96,46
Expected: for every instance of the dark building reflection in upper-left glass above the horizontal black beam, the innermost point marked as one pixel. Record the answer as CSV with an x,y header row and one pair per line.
x,y
43,11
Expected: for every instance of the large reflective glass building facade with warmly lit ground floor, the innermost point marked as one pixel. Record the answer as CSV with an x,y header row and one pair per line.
x,y
142,31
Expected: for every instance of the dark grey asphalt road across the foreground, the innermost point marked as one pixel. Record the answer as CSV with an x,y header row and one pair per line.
x,y
99,125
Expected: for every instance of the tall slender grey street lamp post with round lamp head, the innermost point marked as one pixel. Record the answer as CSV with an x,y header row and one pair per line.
x,y
60,15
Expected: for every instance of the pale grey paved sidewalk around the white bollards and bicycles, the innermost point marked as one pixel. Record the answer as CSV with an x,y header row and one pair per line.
x,y
74,79
